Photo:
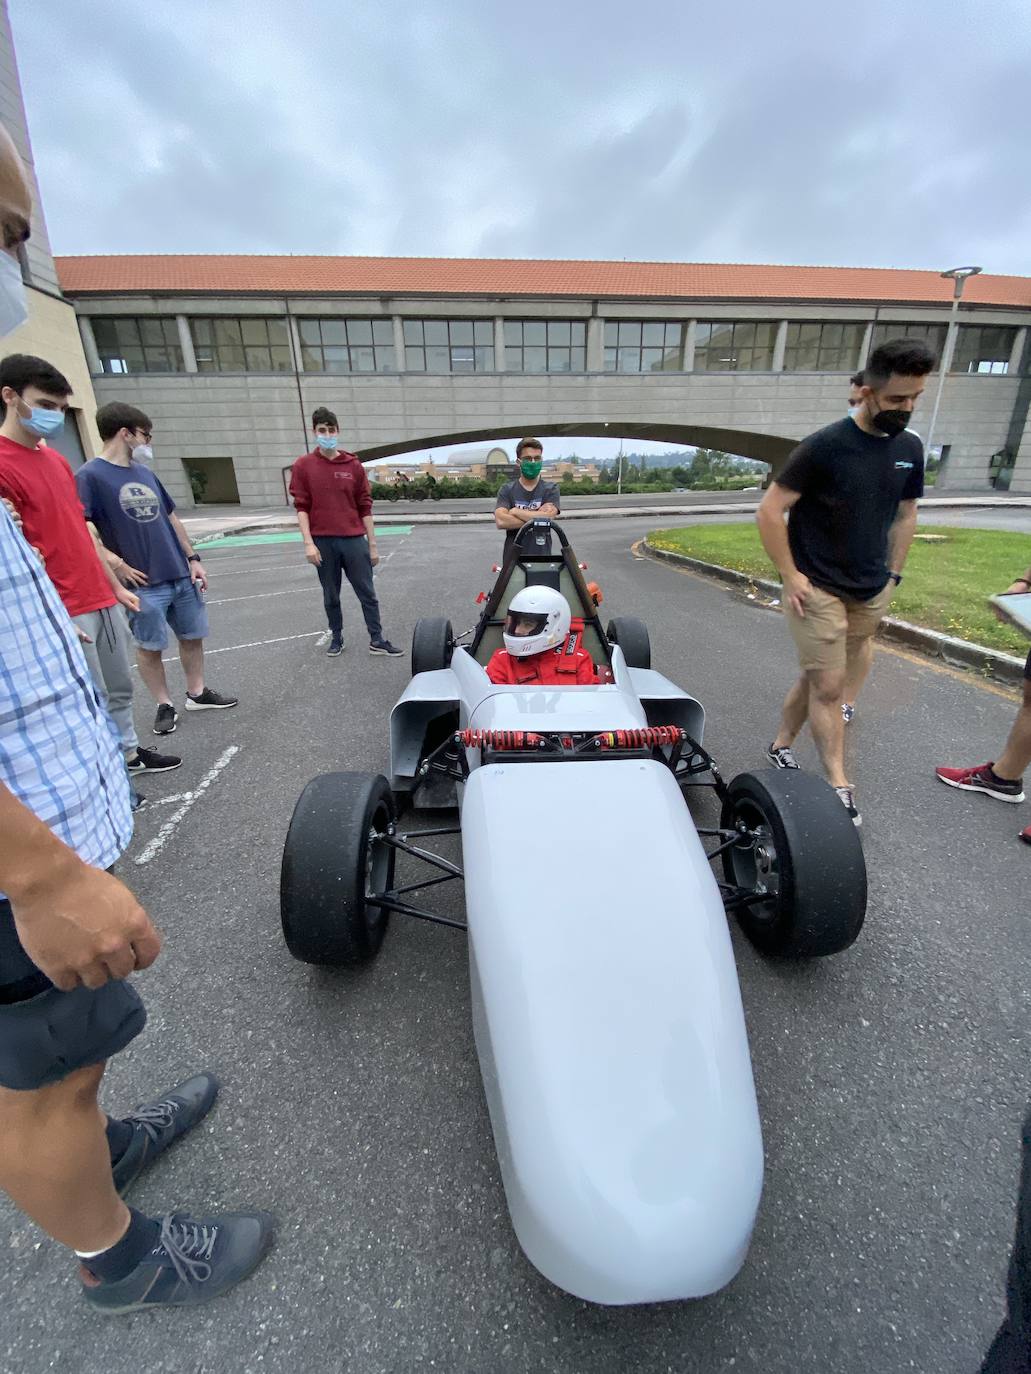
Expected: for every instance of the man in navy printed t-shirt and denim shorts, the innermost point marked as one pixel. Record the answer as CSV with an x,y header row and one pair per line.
x,y
135,519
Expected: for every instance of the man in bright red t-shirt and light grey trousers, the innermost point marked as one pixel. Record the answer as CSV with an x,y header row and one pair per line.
x,y
39,484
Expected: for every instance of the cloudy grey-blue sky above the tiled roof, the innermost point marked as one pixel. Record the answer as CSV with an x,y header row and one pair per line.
x,y
874,133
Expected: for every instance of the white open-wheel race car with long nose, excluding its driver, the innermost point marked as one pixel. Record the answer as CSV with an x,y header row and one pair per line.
x,y
607,1008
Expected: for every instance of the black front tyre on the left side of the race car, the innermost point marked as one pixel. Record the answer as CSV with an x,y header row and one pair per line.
x,y
332,865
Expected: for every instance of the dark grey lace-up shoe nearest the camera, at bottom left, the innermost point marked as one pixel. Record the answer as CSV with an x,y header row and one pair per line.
x,y
195,1262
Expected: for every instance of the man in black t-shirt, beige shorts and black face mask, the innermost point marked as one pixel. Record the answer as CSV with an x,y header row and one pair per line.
x,y
850,494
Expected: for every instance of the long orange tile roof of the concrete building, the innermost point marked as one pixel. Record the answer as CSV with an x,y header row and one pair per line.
x,y
237,274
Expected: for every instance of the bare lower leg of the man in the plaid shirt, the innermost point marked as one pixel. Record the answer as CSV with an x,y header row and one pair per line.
x,y
56,1164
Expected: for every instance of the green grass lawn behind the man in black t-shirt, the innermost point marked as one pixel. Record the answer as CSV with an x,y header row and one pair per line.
x,y
946,585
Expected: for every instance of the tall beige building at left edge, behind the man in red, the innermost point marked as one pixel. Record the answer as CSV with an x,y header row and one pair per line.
x,y
52,330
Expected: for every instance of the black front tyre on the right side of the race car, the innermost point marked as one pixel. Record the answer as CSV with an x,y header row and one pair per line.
x,y
809,858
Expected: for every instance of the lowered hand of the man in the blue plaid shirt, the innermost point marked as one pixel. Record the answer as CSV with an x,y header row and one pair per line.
x,y
80,925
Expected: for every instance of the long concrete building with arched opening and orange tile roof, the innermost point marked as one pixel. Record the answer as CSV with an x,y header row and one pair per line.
x,y
230,355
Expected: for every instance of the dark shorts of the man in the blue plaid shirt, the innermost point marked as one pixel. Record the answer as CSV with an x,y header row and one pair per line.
x,y
47,1034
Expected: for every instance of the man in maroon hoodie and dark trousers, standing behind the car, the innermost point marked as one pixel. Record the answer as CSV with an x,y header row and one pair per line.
x,y
335,510
